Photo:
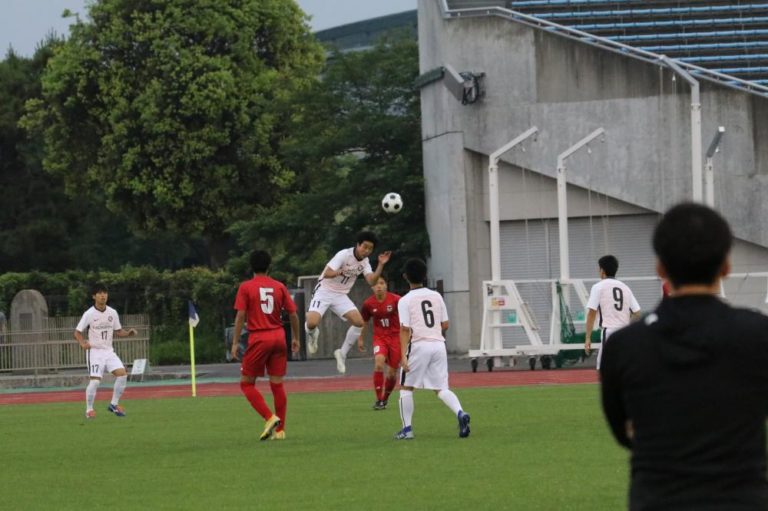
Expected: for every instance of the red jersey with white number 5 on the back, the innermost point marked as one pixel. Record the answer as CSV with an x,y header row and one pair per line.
x,y
263,298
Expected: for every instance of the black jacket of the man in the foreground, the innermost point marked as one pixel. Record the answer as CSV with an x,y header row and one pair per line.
x,y
692,377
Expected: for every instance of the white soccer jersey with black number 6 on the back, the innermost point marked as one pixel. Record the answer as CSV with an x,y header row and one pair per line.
x,y
423,310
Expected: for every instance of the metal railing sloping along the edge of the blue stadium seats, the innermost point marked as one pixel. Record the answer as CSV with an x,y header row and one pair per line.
x,y
603,43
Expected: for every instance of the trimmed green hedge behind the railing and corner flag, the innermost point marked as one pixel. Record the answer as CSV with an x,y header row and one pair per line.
x,y
163,295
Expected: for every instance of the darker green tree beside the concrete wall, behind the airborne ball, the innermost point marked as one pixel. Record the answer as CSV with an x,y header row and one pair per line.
x,y
356,136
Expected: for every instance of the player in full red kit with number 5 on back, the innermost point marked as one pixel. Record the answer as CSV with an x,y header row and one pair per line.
x,y
261,300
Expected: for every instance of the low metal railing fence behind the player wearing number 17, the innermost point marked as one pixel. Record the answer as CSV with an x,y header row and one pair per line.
x,y
54,347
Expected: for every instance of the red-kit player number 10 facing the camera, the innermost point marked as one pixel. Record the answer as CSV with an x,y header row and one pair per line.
x,y
382,307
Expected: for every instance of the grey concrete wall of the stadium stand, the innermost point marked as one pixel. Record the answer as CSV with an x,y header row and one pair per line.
x,y
567,89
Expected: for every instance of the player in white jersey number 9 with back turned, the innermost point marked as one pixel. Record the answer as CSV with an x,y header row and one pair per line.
x,y
612,301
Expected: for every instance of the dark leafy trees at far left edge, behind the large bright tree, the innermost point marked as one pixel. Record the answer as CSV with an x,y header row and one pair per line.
x,y
40,227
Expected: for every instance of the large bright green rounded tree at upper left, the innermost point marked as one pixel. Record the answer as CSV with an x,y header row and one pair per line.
x,y
172,110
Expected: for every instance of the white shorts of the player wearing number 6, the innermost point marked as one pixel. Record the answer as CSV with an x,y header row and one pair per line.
x,y
427,366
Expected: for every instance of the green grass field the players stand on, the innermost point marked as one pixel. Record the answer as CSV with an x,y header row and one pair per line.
x,y
531,448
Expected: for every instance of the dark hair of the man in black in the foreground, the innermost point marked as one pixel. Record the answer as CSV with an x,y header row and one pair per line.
x,y
692,242
